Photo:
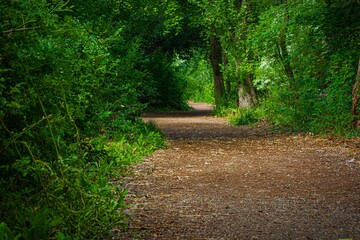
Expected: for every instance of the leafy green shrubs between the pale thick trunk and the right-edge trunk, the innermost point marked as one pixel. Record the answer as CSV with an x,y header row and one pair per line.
x,y
323,58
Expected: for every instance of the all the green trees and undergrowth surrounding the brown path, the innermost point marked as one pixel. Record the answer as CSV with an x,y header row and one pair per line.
x,y
76,75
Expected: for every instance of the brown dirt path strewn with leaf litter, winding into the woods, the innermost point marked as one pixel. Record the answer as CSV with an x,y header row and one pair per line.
x,y
216,181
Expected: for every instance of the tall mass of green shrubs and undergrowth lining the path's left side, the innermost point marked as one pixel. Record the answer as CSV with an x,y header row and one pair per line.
x,y
71,91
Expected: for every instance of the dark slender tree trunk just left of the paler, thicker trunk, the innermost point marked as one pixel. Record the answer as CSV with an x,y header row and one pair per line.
x,y
216,60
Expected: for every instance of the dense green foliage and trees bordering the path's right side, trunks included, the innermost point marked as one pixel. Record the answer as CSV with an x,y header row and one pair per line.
x,y
296,61
